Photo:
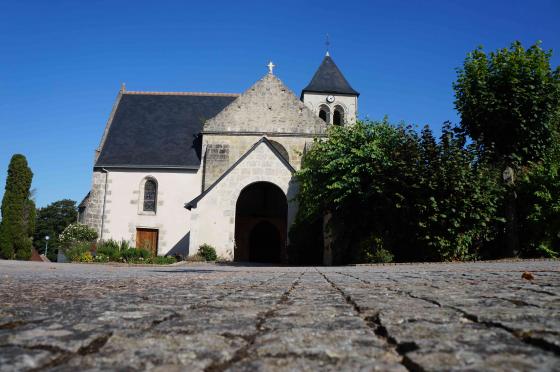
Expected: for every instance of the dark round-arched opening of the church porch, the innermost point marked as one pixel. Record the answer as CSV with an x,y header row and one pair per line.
x,y
261,224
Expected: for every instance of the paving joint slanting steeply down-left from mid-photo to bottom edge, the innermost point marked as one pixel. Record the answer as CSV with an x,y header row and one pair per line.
x,y
243,352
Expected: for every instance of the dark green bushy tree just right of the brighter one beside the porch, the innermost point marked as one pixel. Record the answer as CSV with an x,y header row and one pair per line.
x,y
457,207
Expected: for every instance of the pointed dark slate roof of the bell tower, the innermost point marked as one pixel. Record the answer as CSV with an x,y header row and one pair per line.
x,y
329,79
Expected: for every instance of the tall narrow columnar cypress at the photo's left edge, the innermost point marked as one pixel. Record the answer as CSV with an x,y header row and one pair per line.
x,y
18,211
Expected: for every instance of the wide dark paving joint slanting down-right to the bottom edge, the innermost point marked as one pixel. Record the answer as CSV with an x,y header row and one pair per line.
x,y
378,329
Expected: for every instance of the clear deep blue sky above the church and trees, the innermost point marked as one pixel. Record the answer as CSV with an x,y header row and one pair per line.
x,y
62,62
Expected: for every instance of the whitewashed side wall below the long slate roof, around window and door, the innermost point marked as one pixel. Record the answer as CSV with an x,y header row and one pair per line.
x,y
124,206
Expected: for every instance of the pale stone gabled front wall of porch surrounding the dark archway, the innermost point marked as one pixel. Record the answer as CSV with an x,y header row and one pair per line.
x,y
213,219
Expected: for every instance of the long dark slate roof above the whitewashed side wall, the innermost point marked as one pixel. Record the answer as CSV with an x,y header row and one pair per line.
x,y
159,130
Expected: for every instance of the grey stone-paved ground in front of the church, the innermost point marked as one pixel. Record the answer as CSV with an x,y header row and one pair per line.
x,y
476,316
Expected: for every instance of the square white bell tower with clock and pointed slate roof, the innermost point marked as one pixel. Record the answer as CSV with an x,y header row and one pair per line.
x,y
330,96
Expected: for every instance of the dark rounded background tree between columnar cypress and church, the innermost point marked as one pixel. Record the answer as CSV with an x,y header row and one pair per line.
x,y
51,221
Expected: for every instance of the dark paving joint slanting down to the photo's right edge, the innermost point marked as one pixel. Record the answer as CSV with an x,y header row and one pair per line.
x,y
522,336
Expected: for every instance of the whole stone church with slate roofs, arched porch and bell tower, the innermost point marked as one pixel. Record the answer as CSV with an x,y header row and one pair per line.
x,y
175,170
